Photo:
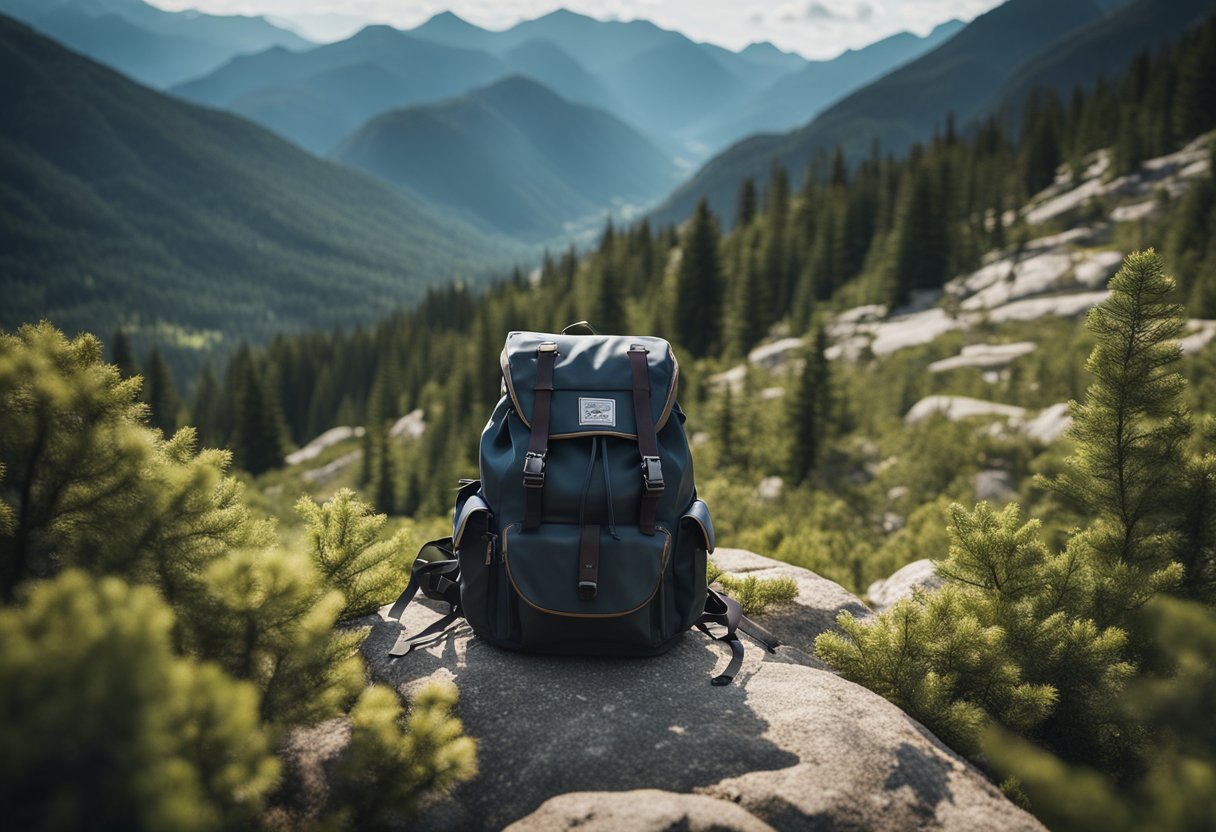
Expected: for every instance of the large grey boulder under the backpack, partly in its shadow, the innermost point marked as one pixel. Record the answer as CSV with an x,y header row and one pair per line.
x,y
789,745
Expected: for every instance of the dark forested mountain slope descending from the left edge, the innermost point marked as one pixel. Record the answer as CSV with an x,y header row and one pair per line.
x,y
121,206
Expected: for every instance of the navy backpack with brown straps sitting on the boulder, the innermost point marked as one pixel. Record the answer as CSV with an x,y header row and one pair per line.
x,y
584,535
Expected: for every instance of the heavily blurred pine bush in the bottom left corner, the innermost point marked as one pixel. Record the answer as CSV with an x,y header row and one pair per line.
x,y
106,728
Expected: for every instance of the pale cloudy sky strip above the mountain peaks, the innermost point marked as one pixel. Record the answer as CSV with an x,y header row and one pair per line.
x,y
815,29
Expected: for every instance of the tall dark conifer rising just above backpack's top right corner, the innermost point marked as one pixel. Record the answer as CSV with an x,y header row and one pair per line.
x,y
700,286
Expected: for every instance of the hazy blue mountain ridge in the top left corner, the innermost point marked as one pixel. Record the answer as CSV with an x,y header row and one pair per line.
x,y
151,46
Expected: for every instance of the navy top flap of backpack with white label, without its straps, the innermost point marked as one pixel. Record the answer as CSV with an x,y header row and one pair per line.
x,y
593,383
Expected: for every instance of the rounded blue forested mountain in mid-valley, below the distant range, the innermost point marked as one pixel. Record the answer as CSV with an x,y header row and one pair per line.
x,y
514,158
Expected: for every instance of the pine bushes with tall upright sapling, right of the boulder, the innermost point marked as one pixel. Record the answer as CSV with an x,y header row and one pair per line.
x,y
1027,643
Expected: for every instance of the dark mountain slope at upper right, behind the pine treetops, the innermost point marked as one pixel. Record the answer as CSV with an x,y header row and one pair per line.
x,y
988,68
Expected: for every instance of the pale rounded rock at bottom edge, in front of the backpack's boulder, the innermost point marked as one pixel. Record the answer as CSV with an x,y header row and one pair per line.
x,y
641,811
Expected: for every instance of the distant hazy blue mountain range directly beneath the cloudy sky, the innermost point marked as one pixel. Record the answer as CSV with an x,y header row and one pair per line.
x,y
685,97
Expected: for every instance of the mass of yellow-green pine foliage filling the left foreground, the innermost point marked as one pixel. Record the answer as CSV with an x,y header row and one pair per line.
x,y
159,642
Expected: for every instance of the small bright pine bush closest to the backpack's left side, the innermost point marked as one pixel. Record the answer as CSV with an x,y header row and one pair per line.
x,y
345,538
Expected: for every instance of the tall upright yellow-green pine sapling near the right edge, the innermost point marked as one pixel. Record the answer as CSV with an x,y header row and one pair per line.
x,y
1130,432
